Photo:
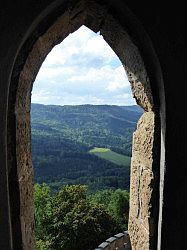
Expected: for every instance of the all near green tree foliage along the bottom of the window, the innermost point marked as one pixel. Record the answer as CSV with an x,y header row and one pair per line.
x,y
70,220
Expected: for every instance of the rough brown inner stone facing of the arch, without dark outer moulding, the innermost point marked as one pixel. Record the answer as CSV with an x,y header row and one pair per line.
x,y
97,17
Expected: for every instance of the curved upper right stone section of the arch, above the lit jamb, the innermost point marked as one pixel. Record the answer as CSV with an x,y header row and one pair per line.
x,y
131,59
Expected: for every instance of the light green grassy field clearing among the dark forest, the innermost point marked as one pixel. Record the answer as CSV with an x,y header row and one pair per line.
x,y
109,155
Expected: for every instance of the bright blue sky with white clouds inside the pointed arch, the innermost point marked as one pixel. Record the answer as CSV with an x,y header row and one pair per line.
x,y
83,69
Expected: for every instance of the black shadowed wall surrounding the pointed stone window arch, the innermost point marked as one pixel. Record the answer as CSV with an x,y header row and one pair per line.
x,y
165,60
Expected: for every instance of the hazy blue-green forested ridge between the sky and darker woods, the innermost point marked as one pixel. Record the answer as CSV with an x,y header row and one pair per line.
x,y
91,125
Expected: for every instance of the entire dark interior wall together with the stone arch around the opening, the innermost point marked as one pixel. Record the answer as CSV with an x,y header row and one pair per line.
x,y
157,194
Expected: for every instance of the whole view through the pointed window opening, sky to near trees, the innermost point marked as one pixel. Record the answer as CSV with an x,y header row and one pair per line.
x,y
83,116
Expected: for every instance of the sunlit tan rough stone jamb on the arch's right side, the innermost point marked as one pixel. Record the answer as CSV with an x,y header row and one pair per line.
x,y
142,178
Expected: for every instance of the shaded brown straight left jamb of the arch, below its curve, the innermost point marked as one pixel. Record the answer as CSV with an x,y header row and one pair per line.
x,y
25,179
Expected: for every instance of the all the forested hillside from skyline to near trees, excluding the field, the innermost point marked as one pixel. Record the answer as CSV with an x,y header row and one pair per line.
x,y
62,137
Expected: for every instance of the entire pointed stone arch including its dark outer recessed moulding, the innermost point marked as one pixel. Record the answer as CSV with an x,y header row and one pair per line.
x,y
145,176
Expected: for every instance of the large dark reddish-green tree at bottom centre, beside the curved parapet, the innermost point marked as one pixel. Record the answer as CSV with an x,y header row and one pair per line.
x,y
77,223
